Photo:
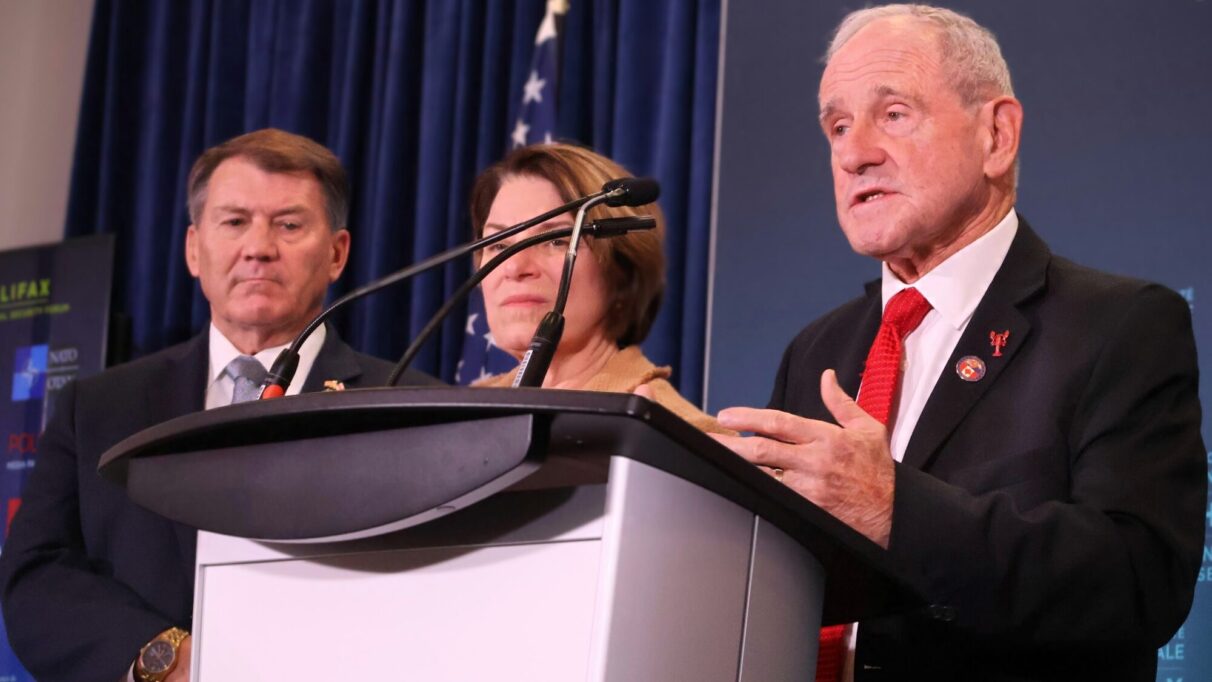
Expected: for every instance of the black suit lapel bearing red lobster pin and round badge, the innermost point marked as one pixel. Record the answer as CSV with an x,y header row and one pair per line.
x,y
1021,277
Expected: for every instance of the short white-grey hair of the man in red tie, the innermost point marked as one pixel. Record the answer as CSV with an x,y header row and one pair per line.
x,y
971,55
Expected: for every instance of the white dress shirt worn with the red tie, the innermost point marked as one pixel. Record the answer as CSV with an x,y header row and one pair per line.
x,y
954,289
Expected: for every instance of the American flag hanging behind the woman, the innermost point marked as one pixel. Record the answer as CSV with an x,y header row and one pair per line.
x,y
535,124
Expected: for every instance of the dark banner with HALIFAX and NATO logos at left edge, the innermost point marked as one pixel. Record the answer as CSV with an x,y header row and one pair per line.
x,y
54,320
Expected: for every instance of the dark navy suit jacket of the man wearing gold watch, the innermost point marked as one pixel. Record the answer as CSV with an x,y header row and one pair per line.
x,y
88,577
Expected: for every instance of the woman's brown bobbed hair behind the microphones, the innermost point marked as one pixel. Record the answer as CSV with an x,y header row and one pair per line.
x,y
634,263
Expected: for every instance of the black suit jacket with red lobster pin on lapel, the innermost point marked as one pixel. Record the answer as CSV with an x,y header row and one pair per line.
x,y
1053,513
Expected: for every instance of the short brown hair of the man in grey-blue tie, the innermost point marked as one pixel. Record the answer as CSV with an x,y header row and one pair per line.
x,y
276,152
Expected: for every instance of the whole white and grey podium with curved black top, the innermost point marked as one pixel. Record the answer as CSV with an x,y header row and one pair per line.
x,y
494,535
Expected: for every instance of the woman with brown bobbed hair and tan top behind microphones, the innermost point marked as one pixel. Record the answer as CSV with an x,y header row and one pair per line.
x,y
615,294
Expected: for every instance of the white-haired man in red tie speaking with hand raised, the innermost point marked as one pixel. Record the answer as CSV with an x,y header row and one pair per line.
x,y
1026,442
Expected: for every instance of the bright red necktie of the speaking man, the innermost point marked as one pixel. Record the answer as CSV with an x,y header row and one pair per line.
x,y
882,379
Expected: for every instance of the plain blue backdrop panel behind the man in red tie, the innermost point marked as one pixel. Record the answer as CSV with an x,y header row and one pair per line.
x,y
1113,176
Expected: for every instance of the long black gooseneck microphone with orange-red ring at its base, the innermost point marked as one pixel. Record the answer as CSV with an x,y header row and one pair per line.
x,y
287,364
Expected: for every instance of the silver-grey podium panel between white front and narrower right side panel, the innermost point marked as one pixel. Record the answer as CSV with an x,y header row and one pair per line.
x,y
676,572
